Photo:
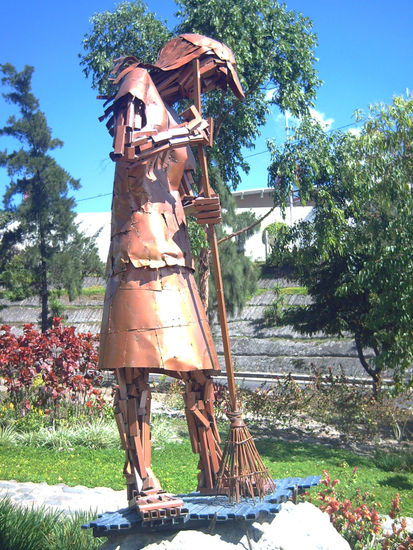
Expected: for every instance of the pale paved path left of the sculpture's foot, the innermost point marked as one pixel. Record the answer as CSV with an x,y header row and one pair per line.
x,y
64,498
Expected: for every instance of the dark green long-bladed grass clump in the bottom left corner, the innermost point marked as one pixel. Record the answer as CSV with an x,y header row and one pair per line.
x,y
40,529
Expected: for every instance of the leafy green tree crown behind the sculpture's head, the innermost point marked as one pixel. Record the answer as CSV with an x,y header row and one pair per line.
x,y
274,48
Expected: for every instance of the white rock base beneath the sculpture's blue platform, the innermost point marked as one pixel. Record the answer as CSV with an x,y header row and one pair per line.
x,y
295,527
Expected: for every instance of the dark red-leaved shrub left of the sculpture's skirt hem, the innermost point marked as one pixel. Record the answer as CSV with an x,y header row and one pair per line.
x,y
44,370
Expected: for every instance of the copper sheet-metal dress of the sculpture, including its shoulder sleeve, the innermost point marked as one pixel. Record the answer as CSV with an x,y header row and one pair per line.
x,y
153,316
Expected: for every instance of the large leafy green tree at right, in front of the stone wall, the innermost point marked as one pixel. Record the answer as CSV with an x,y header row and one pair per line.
x,y
356,256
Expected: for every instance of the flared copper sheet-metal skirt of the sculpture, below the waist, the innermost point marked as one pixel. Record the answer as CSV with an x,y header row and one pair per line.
x,y
154,318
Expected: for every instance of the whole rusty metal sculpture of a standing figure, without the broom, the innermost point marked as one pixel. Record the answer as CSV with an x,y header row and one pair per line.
x,y
153,318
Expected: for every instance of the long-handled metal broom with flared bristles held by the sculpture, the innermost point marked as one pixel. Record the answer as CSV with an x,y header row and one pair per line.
x,y
242,472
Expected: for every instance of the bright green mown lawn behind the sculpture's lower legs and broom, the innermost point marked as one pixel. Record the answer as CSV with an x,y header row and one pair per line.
x,y
176,466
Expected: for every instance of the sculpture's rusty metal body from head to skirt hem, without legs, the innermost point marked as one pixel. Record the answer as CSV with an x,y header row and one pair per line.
x,y
153,317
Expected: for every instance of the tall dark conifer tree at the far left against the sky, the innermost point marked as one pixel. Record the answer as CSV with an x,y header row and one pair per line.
x,y
40,244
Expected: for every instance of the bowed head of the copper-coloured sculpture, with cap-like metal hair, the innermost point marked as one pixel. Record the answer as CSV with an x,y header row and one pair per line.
x,y
173,71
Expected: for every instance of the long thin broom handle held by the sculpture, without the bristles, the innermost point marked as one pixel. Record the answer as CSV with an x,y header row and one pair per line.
x,y
213,243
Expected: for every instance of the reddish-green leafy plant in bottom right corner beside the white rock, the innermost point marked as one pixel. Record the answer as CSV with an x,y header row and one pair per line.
x,y
356,517
